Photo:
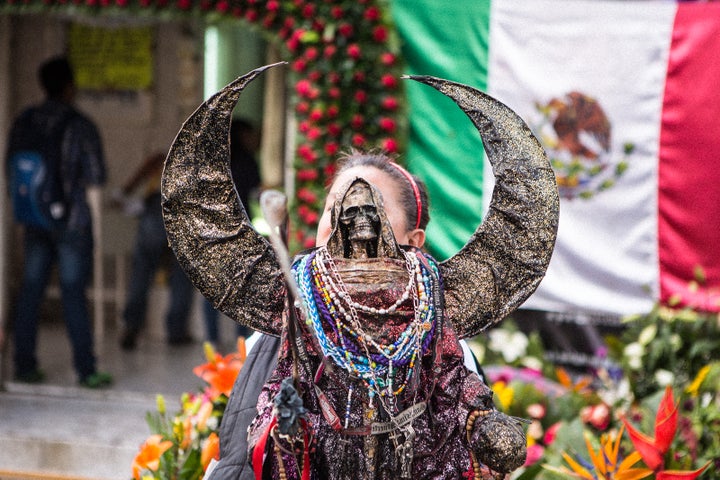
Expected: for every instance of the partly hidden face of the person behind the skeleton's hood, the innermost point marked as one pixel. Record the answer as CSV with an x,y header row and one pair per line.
x,y
391,199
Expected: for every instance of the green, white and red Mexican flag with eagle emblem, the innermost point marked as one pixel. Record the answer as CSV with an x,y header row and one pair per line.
x,y
625,98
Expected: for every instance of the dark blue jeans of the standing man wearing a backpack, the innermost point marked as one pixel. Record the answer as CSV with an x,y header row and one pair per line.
x,y
73,252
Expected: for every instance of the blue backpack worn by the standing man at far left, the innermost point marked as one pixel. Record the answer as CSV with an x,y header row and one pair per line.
x,y
34,171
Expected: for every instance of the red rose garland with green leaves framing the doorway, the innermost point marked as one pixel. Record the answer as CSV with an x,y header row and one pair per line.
x,y
346,77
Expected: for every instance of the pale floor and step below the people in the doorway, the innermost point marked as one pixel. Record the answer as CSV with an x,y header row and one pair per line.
x,y
57,428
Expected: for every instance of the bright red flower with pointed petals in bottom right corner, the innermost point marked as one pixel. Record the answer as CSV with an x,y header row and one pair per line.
x,y
653,450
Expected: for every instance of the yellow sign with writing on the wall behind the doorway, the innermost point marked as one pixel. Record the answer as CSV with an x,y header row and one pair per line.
x,y
105,58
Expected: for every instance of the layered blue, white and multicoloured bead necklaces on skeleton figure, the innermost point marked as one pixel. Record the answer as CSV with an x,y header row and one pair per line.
x,y
331,309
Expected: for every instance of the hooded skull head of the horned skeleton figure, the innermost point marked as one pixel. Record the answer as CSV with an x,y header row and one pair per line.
x,y
359,222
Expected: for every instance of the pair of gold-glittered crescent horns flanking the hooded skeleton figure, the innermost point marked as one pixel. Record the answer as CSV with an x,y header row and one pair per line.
x,y
236,269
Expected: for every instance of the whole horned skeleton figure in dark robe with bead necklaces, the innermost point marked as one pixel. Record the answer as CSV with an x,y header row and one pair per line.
x,y
376,351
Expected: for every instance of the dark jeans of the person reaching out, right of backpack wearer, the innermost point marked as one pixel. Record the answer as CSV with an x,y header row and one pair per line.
x,y
151,249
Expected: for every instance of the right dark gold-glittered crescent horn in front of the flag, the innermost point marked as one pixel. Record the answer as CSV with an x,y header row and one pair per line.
x,y
507,256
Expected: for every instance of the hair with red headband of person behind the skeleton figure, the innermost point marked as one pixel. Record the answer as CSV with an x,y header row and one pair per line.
x,y
386,163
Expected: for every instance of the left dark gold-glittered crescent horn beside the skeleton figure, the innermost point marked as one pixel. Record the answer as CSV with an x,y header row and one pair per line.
x,y
208,229
